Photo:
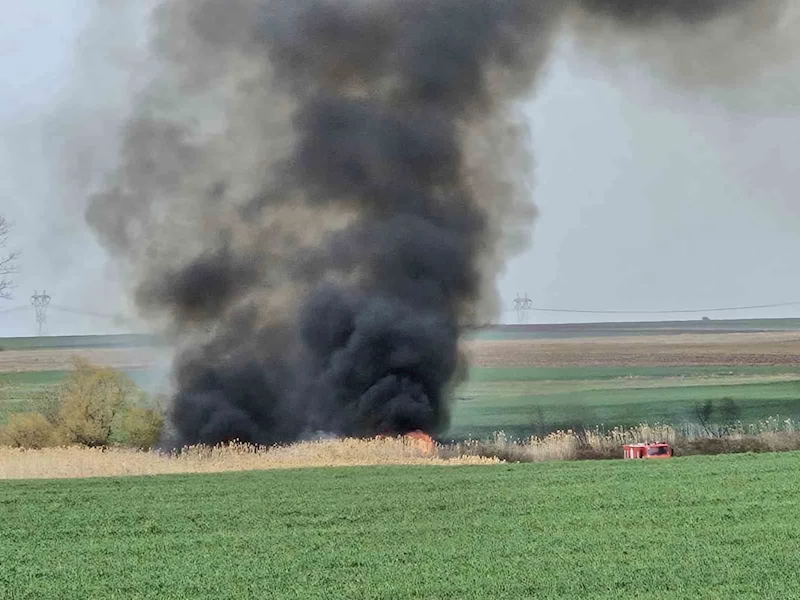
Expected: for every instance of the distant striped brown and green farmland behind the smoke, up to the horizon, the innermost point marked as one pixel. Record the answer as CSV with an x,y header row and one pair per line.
x,y
532,379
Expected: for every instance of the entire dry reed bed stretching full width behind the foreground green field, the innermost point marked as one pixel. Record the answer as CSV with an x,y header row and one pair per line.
x,y
772,435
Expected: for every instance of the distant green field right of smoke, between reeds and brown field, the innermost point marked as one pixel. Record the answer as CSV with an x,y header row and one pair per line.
x,y
538,400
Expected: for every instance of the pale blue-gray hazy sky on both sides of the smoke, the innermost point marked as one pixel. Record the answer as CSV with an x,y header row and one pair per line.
x,y
650,197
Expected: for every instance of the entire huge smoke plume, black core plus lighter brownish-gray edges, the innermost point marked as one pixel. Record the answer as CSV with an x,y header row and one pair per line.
x,y
316,195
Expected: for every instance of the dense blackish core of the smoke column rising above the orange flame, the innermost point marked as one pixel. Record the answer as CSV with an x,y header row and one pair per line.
x,y
380,126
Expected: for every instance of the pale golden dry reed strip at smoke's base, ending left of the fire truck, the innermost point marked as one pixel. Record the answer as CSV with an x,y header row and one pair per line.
x,y
77,461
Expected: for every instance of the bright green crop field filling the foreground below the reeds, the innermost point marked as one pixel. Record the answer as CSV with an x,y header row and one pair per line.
x,y
701,527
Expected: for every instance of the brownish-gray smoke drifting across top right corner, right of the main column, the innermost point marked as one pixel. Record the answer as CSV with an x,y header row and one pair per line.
x,y
710,46
